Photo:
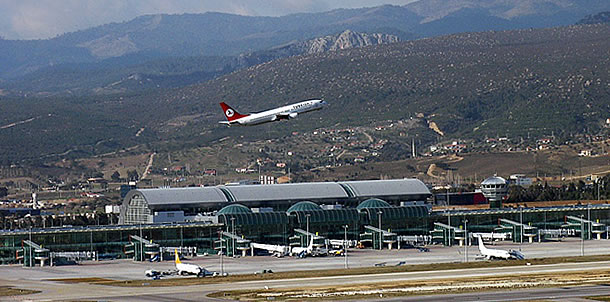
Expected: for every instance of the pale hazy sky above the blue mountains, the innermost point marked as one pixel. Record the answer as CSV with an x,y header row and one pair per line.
x,y
35,19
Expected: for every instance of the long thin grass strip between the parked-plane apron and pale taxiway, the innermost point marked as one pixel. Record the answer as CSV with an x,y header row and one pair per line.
x,y
355,271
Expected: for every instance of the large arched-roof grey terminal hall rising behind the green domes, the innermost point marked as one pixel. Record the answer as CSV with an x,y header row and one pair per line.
x,y
180,204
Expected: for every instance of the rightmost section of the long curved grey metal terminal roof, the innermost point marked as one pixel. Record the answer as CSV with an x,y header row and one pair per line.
x,y
370,188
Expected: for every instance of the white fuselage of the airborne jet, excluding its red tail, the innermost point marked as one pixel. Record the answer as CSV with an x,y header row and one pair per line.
x,y
284,112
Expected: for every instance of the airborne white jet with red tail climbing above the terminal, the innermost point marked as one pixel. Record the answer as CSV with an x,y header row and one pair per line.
x,y
272,115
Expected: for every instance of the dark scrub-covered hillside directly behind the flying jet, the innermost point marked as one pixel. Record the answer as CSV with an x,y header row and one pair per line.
x,y
514,83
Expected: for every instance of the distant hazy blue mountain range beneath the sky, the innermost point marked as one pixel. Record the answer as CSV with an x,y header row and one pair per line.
x,y
118,50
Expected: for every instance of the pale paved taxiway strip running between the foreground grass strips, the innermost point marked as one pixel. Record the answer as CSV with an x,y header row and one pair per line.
x,y
52,291
